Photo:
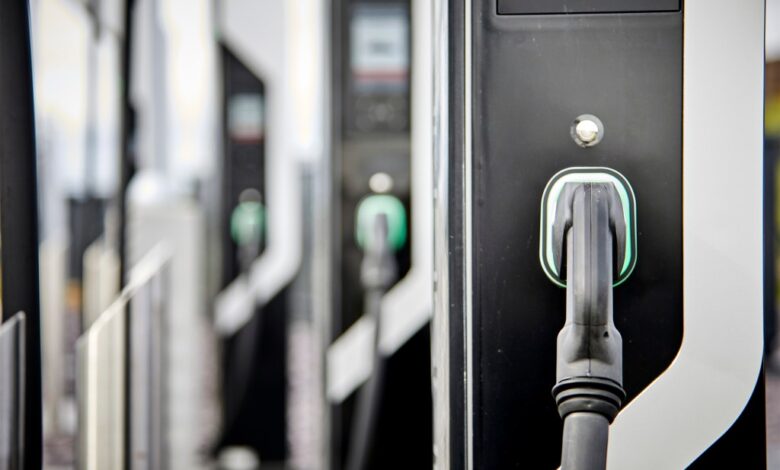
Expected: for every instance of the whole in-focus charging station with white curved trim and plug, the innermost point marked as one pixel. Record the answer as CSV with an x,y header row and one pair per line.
x,y
598,234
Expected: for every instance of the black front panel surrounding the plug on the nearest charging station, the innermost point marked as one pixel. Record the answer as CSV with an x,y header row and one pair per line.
x,y
533,76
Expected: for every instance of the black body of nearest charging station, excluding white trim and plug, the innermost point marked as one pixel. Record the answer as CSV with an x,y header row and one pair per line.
x,y
521,75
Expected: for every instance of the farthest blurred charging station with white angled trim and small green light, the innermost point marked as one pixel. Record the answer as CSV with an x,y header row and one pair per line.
x,y
274,138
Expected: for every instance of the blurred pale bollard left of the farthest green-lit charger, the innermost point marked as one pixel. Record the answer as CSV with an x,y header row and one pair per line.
x,y
190,349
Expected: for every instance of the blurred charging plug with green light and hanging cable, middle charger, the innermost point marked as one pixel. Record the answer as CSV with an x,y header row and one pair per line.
x,y
380,230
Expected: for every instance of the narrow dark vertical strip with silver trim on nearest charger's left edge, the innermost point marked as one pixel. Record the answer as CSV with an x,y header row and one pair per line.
x,y
456,209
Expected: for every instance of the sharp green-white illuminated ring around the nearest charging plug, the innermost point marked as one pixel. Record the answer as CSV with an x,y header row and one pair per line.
x,y
550,202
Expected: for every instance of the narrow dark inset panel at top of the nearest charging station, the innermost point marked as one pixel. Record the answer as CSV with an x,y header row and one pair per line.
x,y
539,7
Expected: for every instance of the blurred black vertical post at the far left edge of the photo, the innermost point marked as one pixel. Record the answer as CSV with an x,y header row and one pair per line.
x,y
19,208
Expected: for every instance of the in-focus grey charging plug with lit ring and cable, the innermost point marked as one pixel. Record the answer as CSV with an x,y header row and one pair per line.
x,y
588,244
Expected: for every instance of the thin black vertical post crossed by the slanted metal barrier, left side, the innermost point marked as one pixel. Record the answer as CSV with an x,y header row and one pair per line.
x,y
125,173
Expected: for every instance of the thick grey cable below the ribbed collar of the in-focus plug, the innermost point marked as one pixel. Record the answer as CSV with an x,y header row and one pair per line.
x,y
585,438
